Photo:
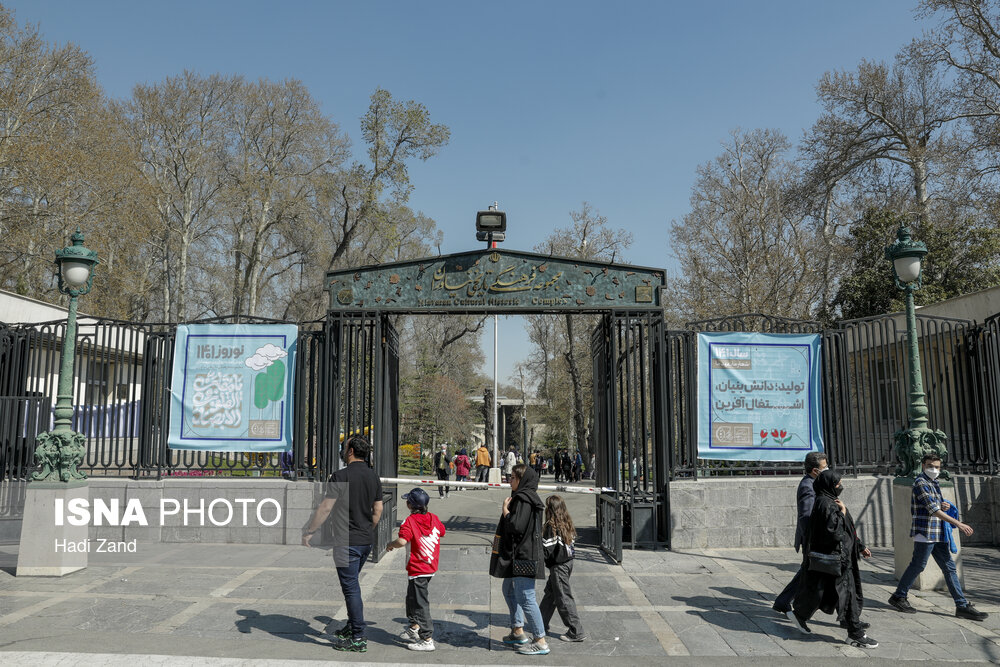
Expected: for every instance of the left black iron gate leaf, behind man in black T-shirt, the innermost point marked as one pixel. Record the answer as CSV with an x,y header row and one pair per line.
x,y
364,399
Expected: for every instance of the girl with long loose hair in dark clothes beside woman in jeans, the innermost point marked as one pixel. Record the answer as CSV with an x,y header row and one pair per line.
x,y
558,538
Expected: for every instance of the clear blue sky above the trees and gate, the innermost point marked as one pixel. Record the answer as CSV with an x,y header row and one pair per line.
x,y
550,104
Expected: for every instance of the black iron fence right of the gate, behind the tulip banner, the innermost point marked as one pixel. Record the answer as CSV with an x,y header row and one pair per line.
x,y
864,380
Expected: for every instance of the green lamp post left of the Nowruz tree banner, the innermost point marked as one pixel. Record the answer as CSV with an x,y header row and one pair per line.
x,y
61,450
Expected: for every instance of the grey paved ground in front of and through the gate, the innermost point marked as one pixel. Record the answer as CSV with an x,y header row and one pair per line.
x,y
217,604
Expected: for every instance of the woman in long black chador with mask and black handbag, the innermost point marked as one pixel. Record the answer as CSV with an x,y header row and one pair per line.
x,y
832,583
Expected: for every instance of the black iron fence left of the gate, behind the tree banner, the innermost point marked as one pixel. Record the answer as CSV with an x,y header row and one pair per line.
x,y
122,380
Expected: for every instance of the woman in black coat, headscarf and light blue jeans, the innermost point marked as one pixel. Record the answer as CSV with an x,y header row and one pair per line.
x,y
518,559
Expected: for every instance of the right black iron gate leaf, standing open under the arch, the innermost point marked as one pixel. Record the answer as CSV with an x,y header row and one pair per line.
x,y
629,431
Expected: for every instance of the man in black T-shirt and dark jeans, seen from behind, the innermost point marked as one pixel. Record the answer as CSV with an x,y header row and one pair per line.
x,y
360,489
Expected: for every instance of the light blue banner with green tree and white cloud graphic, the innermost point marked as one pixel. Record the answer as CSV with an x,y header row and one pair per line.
x,y
232,387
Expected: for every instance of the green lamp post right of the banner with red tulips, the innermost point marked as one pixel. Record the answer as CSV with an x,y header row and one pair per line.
x,y
913,443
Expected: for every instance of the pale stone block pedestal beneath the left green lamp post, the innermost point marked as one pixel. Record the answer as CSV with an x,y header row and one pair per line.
x,y
47,549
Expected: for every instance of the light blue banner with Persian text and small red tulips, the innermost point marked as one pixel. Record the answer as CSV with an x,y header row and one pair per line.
x,y
758,396
